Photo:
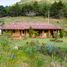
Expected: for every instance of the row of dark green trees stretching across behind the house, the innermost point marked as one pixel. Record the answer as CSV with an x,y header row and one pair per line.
x,y
57,9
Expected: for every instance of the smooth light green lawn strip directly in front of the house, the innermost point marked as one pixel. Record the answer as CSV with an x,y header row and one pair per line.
x,y
45,41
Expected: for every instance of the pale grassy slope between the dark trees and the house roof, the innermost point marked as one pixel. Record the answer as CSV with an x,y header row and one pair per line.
x,y
62,22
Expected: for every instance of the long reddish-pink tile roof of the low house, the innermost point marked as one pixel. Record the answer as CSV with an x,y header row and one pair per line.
x,y
28,25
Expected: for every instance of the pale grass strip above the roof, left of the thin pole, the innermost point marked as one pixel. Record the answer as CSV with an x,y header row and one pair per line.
x,y
24,19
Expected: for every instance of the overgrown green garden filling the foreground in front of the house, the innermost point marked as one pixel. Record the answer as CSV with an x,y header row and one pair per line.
x,y
33,52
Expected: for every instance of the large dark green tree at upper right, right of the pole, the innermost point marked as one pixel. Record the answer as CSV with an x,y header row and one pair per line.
x,y
57,9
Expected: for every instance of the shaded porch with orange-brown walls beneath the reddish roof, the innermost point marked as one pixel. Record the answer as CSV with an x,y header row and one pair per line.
x,y
18,34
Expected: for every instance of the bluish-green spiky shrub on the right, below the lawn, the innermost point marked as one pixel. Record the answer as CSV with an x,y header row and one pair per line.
x,y
49,49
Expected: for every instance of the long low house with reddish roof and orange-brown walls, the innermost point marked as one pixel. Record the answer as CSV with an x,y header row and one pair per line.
x,y
20,30
